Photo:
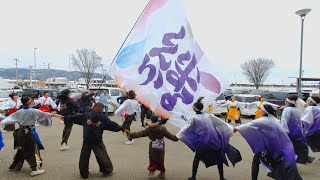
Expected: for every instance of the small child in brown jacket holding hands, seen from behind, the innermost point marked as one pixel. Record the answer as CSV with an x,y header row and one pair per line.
x,y
156,132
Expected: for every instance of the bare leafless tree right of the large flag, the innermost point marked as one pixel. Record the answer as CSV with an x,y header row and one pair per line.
x,y
257,70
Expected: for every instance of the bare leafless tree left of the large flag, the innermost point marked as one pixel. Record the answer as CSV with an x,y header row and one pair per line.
x,y
86,61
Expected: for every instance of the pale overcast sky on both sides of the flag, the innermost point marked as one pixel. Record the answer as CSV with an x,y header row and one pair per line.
x,y
229,32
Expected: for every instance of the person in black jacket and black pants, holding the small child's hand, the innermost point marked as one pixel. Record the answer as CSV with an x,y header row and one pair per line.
x,y
94,123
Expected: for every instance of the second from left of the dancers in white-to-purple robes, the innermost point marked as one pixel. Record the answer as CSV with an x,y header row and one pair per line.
x,y
271,145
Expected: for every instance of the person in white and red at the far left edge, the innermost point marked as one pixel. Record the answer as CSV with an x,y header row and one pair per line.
x,y
11,106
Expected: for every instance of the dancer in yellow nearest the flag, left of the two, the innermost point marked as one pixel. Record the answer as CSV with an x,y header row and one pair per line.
x,y
233,112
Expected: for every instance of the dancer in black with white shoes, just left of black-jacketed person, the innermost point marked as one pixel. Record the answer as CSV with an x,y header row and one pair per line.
x,y
66,107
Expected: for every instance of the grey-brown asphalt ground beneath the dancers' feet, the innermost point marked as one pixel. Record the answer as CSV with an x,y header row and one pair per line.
x,y
130,161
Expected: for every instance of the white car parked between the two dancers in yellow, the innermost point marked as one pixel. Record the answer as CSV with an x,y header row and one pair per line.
x,y
247,98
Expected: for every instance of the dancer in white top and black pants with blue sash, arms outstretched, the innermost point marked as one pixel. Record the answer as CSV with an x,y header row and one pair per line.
x,y
26,140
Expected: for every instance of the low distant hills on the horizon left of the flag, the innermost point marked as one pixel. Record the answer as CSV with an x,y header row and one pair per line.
x,y
44,74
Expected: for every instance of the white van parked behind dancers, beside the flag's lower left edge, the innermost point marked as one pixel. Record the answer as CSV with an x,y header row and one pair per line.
x,y
114,92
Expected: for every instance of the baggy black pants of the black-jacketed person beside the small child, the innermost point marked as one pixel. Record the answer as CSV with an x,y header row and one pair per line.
x,y
102,157
